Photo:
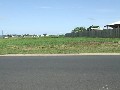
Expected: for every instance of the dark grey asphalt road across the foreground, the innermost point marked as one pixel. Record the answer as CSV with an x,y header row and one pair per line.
x,y
60,73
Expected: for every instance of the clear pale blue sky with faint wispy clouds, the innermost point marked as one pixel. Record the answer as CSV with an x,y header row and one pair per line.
x,y
55,16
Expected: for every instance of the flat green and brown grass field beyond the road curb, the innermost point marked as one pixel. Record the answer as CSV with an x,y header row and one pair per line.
x,y
47,45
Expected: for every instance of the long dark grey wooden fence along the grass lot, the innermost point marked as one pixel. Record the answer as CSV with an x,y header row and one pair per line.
x,y
106,33
